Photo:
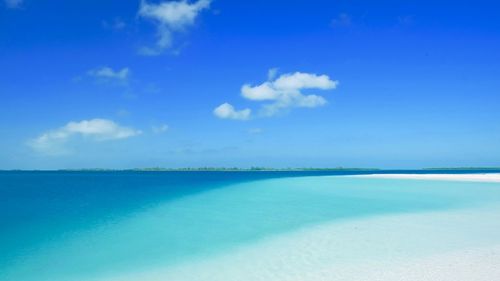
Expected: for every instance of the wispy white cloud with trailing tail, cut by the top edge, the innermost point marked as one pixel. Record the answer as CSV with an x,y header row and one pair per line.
x,y
170,17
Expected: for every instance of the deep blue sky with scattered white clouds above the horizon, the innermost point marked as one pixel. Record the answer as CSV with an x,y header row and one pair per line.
x,y
121,84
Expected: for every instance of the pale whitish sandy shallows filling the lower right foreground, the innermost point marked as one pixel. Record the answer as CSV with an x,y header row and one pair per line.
x,y
430,246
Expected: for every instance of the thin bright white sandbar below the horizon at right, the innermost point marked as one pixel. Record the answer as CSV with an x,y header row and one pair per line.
x,y
444,177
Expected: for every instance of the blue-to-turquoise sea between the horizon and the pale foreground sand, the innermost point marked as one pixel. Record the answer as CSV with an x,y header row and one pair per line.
x,y
86,226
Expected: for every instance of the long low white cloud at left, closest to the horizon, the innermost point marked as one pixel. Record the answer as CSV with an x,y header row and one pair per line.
x,y
52,142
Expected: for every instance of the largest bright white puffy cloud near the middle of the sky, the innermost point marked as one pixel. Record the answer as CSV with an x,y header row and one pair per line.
x,y
286,91
